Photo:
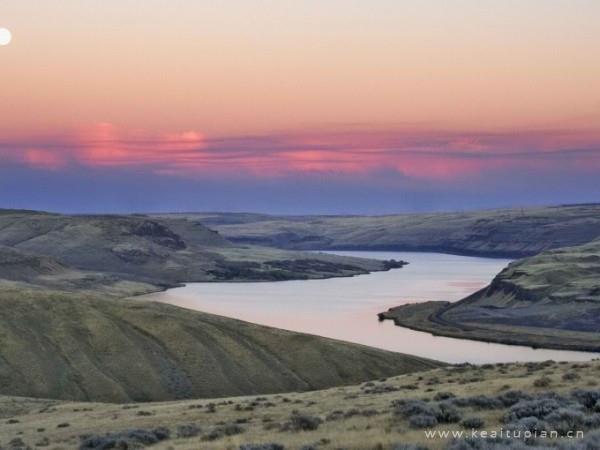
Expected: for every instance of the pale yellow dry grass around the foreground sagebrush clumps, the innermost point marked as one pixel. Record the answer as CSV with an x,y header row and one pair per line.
x,y
262,417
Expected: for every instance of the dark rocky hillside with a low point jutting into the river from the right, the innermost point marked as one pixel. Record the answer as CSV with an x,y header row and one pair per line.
x,y
551,300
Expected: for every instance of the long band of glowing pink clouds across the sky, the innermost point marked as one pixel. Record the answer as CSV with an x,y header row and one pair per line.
x,y
430,155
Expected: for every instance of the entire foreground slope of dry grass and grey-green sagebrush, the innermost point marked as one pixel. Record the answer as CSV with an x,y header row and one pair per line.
x,y
383,414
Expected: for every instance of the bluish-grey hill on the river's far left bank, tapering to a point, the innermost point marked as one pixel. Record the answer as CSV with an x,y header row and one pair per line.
x,y
160,252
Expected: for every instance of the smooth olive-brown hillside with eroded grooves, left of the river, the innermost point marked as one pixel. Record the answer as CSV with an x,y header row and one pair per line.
x,y
86,347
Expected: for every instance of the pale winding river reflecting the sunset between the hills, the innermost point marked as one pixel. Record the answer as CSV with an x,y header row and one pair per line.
x,y
346,308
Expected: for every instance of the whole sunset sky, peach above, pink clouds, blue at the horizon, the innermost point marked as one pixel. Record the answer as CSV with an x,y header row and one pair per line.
x,y
281,106
